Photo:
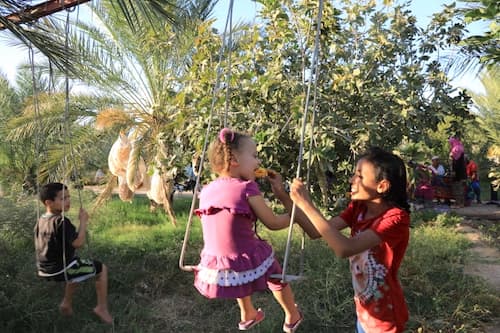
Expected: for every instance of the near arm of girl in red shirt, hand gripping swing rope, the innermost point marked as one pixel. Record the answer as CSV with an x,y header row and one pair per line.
x,y
329,230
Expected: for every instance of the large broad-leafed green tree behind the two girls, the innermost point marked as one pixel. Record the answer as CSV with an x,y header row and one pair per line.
x,y
378,84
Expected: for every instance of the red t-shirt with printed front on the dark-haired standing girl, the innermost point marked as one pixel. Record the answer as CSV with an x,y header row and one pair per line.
x,y
379,298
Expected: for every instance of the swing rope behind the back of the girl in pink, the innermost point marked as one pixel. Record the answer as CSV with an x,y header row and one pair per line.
x,y
226,43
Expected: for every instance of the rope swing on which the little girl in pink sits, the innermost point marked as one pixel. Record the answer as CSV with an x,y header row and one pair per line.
x,y
285,278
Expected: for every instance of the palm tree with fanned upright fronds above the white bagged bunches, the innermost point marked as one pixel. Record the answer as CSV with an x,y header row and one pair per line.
x,y
140,61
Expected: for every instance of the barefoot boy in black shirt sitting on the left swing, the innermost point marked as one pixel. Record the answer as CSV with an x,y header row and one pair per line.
x,y
56,239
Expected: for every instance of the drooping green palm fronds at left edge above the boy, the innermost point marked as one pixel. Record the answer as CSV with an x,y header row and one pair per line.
x,y
38,136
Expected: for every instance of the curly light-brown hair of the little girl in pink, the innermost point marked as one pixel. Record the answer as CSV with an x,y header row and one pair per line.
x,y
221,149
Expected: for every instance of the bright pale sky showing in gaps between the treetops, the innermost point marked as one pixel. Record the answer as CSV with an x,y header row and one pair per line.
x,y
12,55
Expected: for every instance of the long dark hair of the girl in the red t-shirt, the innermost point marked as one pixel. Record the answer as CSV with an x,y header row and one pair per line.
x,y
392,168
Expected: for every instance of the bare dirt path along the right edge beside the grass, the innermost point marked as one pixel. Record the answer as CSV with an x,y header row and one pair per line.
x,y
485,256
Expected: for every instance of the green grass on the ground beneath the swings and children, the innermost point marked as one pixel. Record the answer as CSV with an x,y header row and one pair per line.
x,y
149,293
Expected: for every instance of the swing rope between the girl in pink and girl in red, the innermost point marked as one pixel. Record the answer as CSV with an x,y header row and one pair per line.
x,y
314,77
